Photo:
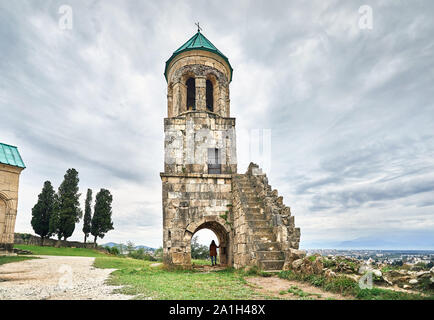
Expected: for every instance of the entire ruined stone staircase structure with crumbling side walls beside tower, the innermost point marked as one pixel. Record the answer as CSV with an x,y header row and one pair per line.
x,y
264,230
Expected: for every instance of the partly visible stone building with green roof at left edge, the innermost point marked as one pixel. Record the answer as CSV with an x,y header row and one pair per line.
x,y
11,165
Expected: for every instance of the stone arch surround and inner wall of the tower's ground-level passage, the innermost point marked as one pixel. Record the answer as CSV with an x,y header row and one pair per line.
x,y
223,234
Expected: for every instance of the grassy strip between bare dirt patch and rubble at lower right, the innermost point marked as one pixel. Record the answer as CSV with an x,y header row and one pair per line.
x,y
349,287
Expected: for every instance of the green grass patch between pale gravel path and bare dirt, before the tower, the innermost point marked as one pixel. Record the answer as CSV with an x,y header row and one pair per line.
x,y
160,283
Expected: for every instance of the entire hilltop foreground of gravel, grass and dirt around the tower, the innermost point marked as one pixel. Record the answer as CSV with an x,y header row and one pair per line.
x,y
101,276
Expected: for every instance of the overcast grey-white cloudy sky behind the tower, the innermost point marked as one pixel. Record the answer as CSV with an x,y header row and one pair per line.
x,y
350,110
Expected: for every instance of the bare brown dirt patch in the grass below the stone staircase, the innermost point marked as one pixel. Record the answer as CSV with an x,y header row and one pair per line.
x,y
274,286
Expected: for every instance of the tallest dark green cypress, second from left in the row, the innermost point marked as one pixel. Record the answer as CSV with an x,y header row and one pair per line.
x,y
67,210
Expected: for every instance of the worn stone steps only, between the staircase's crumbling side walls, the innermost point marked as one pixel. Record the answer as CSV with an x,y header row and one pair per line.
x,y
265,251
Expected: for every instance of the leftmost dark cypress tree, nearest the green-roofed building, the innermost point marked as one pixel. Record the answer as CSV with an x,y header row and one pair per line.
x,y
42,212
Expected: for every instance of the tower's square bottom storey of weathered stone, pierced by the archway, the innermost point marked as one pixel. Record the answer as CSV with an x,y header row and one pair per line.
x,y
192,202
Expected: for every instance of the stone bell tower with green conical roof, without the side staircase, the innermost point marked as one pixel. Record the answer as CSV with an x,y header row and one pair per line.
x,y
200,154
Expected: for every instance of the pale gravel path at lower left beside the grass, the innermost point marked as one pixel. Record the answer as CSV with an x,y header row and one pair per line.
x,y
56,278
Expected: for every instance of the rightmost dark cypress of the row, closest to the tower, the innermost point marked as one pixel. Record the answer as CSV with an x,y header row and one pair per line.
x,y
102,214
